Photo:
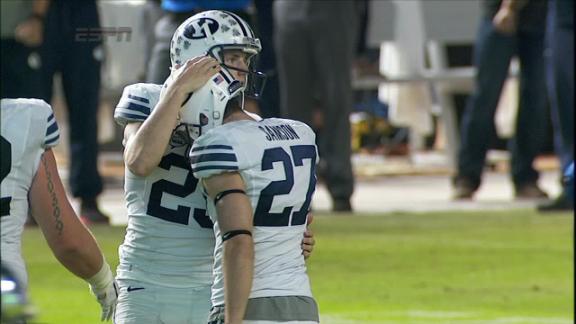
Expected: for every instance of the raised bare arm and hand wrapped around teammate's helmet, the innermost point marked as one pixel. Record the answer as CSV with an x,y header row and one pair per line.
x,y
146,142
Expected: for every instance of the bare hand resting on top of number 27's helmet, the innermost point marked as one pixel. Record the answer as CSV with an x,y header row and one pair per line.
x,y
194,73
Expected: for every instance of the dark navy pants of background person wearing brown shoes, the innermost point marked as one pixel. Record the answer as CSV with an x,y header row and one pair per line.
x,y
493,53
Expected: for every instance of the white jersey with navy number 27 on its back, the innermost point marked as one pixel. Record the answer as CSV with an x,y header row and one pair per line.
x,y
277,160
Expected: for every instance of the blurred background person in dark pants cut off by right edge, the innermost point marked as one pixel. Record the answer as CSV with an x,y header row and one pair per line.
x,y
560,82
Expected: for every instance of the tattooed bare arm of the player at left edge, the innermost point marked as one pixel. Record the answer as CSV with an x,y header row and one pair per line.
x,y
72,244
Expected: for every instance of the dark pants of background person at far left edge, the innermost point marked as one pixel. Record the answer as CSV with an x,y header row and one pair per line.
x,y
20,71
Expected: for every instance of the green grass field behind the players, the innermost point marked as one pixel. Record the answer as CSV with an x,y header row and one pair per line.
x,y
457,267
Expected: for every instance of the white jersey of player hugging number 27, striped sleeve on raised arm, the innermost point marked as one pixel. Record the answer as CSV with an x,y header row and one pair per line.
x,y
169,239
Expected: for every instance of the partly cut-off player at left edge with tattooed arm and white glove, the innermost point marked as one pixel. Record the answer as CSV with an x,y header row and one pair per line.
x,y
31,184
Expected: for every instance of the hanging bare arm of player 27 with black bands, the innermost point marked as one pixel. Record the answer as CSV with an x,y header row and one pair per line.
x,y
234,213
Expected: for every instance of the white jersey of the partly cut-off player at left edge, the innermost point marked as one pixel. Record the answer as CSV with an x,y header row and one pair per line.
x,y
28,129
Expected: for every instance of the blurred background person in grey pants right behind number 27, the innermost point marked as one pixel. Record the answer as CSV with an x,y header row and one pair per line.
x,y
315,43
